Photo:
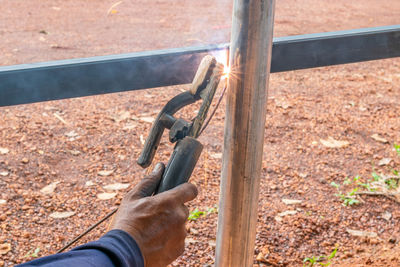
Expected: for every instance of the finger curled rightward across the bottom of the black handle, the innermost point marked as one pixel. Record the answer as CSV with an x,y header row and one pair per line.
x,y
180,194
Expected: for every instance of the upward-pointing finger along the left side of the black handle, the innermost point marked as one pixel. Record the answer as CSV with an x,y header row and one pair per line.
x,y
148,184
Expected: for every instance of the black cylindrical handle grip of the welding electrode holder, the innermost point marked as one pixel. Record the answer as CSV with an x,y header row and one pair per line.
x,y
181,164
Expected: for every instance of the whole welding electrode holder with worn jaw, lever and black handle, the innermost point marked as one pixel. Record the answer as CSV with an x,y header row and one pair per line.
x,y
187,149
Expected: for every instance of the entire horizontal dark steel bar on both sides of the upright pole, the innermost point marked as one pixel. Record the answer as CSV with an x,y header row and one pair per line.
x,y
28,83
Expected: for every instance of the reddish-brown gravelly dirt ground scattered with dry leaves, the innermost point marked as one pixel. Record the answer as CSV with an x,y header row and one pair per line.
x,y
81,145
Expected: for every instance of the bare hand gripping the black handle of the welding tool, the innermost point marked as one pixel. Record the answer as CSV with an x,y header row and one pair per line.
x,y
157,223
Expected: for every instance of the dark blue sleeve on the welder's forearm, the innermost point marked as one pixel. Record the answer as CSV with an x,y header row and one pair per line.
x,y
116,248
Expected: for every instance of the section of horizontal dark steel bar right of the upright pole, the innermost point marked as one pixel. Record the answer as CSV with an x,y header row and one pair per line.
x,y
333,48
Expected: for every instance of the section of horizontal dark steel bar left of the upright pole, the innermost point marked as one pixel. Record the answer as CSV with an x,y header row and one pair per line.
x,y
36,82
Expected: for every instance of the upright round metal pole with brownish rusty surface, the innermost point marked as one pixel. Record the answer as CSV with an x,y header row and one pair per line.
x,y
250,60
